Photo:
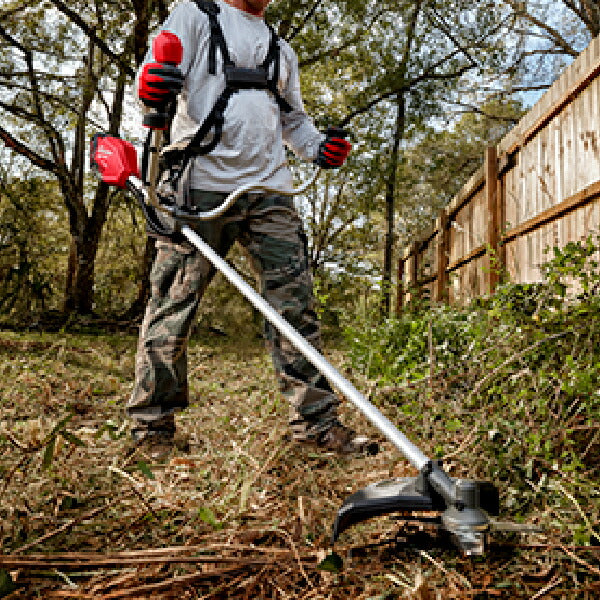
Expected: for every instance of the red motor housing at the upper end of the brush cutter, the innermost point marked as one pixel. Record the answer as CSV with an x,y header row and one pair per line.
x,y
114,159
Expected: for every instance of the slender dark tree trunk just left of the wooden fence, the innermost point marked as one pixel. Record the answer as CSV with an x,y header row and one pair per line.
x,y
390,193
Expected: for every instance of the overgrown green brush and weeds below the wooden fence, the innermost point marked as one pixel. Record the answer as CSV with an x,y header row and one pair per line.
x,y
510,385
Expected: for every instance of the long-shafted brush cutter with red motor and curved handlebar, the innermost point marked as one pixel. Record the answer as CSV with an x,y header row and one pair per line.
x,y
460,507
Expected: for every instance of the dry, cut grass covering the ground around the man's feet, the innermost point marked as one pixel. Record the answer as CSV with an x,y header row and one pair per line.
x,y
245,515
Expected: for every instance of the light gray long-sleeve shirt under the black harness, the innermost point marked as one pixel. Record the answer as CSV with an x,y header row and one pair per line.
x,y
252,145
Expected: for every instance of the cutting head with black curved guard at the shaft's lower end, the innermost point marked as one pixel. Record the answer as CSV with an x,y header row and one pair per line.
x,y
462,509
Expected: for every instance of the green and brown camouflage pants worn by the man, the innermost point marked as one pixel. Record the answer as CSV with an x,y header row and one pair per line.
x,y
269,228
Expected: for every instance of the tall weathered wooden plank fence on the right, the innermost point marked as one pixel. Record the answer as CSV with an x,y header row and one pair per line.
x,y
538,188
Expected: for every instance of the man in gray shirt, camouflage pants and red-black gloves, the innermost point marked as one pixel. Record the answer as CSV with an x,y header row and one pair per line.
x,y
240,102
